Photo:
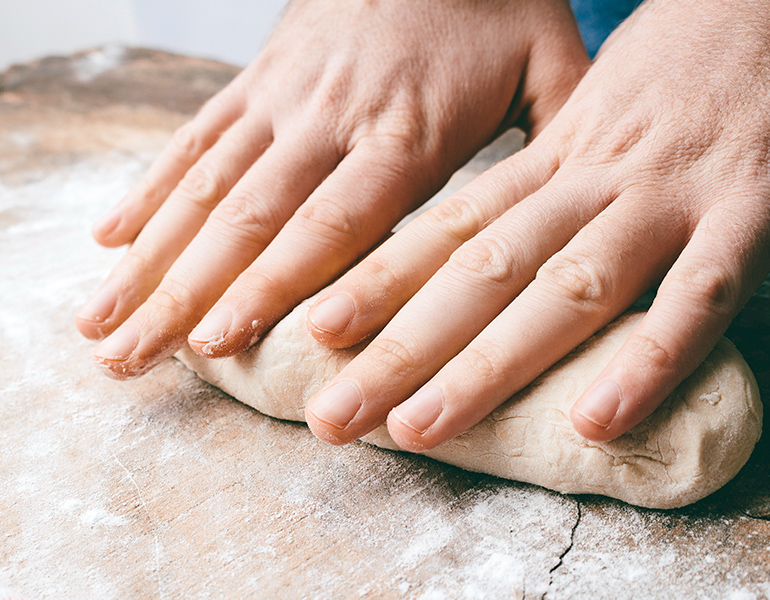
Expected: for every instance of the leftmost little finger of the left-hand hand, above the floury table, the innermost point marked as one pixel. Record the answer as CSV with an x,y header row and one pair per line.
x,y
124,222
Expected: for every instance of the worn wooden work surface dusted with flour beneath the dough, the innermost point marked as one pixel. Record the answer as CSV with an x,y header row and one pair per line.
x,y
167,488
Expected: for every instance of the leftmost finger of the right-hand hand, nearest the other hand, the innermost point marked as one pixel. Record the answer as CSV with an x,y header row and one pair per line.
x,y
367,297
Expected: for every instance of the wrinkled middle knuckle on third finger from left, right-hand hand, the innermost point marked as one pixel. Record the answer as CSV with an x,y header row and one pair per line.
x,y
577,278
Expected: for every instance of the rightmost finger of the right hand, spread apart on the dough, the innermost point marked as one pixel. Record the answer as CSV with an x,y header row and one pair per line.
x,y
693,307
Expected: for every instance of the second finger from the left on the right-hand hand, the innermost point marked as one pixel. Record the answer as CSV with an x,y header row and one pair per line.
x,y
479,280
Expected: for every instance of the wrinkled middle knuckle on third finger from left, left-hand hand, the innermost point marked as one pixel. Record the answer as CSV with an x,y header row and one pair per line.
x,y
244,215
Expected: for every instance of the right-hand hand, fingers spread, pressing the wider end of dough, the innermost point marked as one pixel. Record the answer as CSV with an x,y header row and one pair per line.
x,y
654,171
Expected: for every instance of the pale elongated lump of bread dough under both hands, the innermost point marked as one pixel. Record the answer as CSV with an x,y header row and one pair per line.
x,y
693,444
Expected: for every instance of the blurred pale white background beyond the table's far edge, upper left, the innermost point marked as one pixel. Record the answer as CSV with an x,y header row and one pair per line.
x,y
228,30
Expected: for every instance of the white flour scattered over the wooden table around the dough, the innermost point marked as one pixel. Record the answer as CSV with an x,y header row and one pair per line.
x,y
443,534
